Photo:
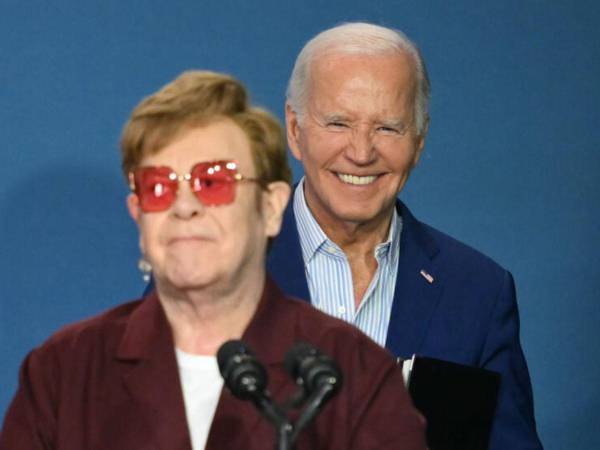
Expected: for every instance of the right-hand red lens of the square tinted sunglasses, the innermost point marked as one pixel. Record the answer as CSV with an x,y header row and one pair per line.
x,y
214,182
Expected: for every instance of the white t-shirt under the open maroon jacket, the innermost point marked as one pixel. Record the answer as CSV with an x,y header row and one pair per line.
x,y
201,383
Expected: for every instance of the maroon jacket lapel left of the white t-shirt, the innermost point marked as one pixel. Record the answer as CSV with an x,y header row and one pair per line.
x,y
151,377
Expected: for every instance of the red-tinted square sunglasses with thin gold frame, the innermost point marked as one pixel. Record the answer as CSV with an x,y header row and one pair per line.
x,y
212,182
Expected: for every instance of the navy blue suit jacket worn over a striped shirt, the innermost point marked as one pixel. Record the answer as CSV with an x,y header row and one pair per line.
x,y
467,314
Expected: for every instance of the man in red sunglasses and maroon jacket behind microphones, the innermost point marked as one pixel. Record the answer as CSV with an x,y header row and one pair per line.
x,y
210,181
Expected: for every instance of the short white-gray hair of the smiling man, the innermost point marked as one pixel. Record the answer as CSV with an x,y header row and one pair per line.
x,y
358,38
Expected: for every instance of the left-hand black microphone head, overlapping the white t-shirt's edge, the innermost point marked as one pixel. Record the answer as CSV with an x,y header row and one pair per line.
x,y
244,376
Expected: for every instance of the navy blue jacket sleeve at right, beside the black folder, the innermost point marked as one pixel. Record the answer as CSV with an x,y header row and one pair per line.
x,y
514,425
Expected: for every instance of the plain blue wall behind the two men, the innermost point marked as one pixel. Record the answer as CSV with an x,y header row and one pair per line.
x,y
511,164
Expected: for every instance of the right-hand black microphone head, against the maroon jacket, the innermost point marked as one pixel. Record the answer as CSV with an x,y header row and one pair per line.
x,y
311,368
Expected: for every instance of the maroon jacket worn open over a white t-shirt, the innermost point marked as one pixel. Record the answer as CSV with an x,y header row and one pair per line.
x,y
111,382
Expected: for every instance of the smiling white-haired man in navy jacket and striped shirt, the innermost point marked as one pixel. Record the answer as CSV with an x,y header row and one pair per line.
x,y
357,117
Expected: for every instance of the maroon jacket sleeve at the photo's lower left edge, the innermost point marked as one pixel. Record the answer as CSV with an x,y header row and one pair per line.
x,y
30,421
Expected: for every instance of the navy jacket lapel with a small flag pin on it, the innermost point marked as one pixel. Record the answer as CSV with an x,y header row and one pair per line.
x,y
418,288
